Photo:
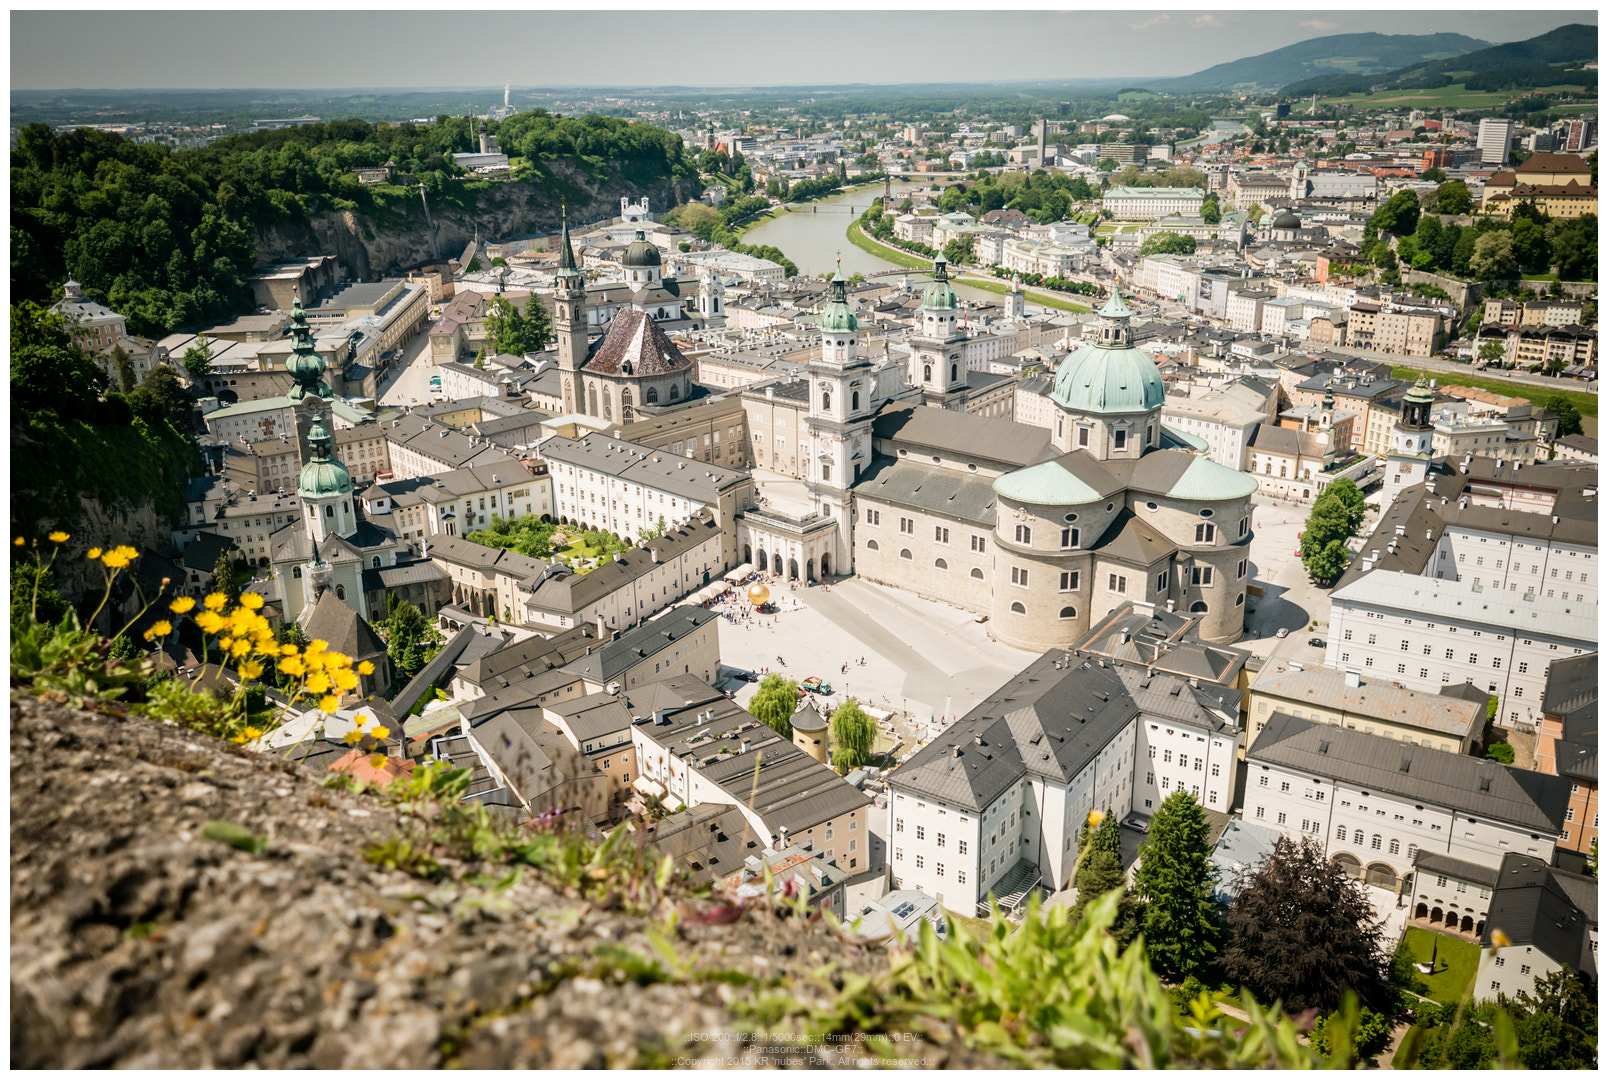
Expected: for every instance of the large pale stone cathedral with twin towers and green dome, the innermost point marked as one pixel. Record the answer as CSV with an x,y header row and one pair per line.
x,y
1043,533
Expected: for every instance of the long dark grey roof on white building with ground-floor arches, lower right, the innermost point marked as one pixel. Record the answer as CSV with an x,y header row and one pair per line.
x,y
1443,779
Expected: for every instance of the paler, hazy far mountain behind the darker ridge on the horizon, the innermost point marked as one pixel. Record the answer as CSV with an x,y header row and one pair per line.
x,y
1334,55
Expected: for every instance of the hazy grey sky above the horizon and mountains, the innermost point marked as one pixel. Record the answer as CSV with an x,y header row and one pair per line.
x,y
400,47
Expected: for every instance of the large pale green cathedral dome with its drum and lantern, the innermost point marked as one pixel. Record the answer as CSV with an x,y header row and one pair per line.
x,y
1109,395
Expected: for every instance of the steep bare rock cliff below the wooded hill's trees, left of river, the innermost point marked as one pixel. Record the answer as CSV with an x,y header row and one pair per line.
x,y
374,247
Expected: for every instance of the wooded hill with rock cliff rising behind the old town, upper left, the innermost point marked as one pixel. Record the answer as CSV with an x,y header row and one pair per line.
x,y
170,237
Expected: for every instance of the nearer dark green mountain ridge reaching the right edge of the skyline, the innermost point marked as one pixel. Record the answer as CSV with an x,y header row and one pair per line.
x,y
1538,62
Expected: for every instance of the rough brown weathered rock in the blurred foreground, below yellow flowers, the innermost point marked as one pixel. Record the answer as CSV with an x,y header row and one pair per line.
x,y
137,943
